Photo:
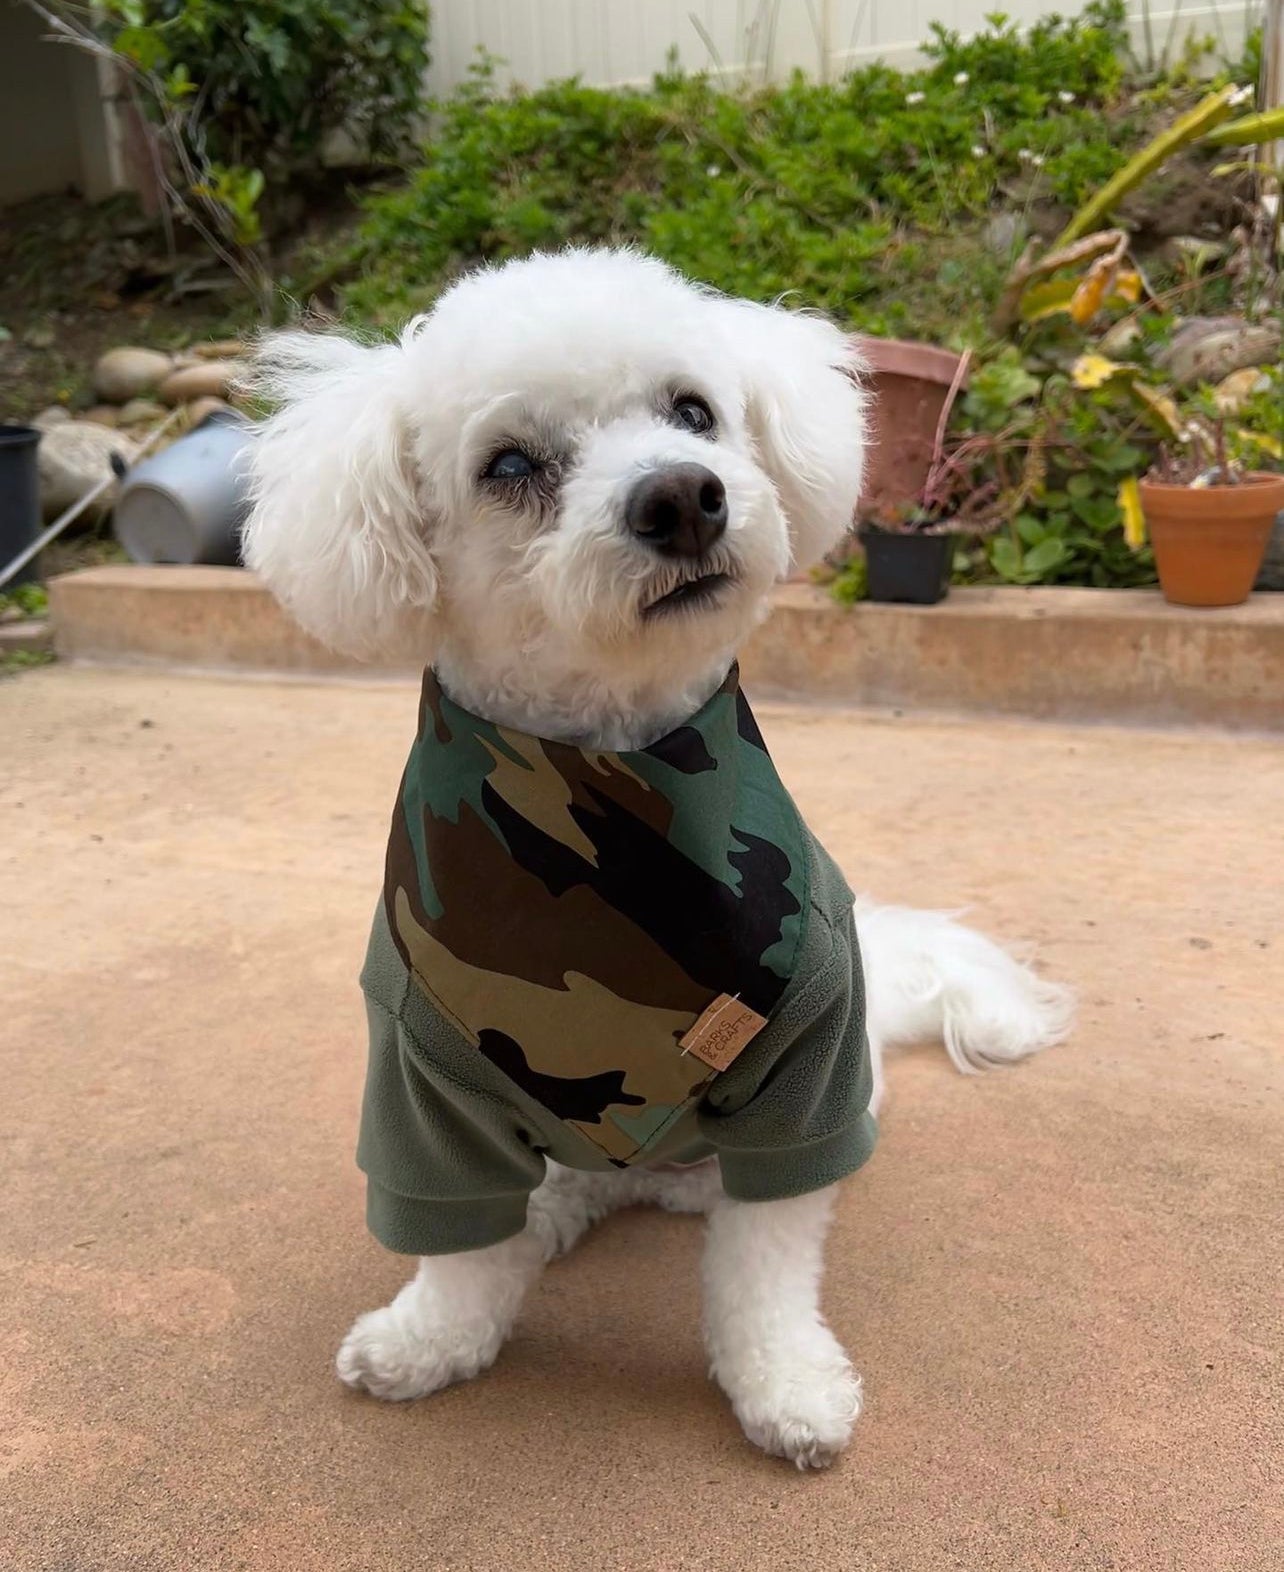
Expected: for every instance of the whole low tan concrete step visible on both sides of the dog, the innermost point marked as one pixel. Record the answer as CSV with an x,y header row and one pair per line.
x,y
1046,655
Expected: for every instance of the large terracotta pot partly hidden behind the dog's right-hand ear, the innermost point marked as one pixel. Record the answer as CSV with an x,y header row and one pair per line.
x,y
911,384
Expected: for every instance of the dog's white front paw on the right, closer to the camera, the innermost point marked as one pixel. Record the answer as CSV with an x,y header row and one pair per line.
x,y
801,1403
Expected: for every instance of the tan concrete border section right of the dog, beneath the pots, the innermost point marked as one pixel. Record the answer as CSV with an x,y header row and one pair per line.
x,y
1044,655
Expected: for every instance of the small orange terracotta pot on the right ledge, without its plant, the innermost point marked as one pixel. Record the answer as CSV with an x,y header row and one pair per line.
x,y
1209,542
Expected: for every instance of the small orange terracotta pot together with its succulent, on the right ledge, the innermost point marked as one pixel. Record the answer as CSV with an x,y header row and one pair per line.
x,y
1209,520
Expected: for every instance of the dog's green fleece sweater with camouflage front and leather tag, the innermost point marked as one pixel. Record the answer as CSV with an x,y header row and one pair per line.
x,y
603,960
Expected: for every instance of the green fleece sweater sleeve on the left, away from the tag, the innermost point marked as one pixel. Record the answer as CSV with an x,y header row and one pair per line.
x,y
449,1166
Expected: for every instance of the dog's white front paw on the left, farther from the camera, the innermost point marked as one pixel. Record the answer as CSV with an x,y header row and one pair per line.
x,y
392,1354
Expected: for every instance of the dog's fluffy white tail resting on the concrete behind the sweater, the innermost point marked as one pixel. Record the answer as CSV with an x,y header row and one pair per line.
x,y
930,979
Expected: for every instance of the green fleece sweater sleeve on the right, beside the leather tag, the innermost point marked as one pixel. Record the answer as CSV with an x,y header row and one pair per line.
x,y
796,1117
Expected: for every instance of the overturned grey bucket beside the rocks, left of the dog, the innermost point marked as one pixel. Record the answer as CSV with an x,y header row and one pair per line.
x,y
188,504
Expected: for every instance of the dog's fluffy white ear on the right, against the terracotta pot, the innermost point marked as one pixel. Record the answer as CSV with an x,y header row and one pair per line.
x,y
807,414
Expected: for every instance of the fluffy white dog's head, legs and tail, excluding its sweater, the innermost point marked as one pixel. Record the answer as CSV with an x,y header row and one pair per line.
x,y
471,496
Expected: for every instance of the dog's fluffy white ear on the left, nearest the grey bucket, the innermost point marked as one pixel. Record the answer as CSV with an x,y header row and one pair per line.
x,y
337,527
